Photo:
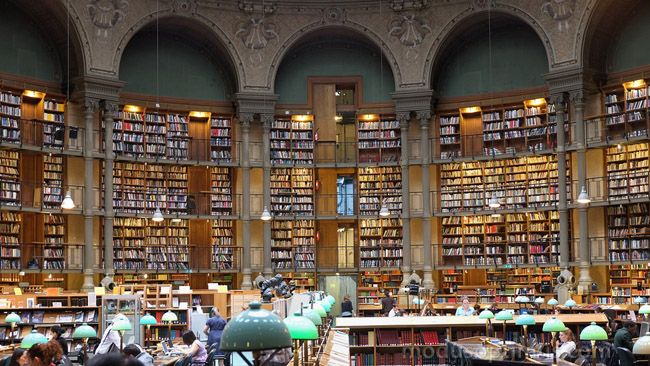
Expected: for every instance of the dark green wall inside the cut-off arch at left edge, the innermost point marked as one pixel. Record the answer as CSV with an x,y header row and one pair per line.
x,y
25,50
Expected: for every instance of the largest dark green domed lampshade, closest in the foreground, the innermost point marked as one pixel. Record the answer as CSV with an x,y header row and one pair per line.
x,y
255,329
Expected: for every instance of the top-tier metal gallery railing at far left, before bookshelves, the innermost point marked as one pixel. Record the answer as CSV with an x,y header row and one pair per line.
x,y
46,135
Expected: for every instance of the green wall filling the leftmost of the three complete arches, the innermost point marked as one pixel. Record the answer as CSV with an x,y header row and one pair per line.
x,y
184,71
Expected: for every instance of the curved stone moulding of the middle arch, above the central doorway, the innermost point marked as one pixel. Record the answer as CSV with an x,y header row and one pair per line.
x,y
303,33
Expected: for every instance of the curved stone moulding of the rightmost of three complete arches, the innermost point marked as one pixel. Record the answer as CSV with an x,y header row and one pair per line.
x,y
470,17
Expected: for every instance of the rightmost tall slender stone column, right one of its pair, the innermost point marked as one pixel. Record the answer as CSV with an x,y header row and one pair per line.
x,y
584,283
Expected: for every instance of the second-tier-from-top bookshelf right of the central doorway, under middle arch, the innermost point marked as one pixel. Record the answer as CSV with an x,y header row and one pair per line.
x,y
377,185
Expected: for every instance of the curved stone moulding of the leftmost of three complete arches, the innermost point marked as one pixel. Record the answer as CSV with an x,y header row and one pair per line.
x,y
217,43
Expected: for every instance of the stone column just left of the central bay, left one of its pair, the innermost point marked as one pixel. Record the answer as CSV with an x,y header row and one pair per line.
x,y
245,121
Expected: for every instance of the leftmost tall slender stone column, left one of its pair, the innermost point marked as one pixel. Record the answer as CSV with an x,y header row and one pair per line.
x,y
88,201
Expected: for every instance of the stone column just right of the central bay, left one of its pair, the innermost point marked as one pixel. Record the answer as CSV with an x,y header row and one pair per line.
x,y
406,207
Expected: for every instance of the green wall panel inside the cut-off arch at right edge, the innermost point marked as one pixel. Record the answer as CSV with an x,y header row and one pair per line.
x,y
632,49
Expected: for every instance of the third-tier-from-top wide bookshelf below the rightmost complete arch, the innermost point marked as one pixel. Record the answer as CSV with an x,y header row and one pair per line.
x,y
514,238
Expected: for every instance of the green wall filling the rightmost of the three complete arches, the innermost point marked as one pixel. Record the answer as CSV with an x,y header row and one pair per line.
x,y
518,62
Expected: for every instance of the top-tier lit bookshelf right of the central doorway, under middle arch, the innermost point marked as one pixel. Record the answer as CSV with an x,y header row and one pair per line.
x,y
379,138
